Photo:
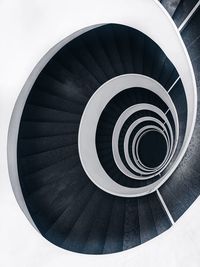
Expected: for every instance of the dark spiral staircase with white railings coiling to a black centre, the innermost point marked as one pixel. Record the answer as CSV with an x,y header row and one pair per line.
x,y
100,138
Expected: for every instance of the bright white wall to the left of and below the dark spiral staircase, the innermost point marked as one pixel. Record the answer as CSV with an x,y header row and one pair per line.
x,y
28,29
